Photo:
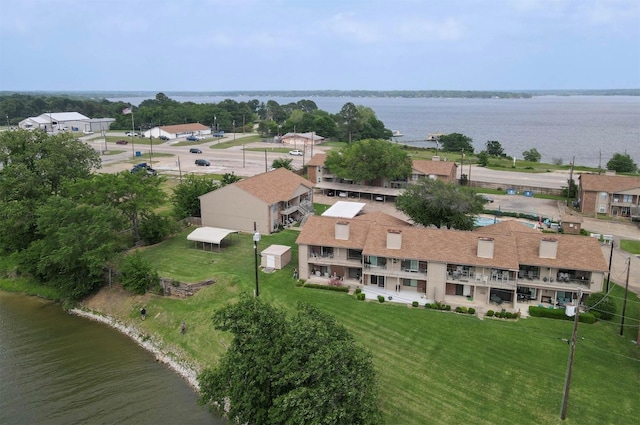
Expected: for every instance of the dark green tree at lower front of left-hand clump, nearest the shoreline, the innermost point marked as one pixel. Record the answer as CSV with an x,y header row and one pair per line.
x,y
75,241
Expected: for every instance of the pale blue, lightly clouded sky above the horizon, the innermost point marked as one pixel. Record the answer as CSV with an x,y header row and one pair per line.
x,y
222,45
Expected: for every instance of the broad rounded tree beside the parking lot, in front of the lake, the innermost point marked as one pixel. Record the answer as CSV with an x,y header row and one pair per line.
x,y
369,160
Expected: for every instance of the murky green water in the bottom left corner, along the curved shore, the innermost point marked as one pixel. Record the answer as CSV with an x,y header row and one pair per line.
x,y
56,368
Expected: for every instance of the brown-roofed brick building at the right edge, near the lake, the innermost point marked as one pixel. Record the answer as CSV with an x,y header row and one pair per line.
x,y
616,196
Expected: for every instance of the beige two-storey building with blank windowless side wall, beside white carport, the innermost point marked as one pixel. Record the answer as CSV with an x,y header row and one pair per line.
x,y
273,199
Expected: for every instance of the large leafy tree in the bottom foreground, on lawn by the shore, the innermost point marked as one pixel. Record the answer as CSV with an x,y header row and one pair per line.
x,y
306,369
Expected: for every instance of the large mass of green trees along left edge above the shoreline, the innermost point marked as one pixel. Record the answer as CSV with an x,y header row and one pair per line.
x,y
64,224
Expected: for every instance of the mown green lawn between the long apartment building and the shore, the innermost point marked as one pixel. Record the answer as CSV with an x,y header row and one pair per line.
x,y
433,367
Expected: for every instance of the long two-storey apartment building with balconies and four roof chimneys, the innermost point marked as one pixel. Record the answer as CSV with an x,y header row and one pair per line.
x,y
504,264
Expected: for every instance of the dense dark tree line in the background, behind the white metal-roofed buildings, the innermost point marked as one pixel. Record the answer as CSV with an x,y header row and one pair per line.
x,y
351,123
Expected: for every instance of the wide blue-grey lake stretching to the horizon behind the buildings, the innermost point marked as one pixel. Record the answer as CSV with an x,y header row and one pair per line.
x,y
591,128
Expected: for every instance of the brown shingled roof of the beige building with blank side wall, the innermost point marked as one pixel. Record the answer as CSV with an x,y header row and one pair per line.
x,y
273,186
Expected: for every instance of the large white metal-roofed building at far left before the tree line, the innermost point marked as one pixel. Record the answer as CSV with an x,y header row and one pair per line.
x,y
53,122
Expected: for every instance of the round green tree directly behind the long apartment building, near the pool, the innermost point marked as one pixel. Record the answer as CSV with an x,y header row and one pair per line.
x,y
438,203
